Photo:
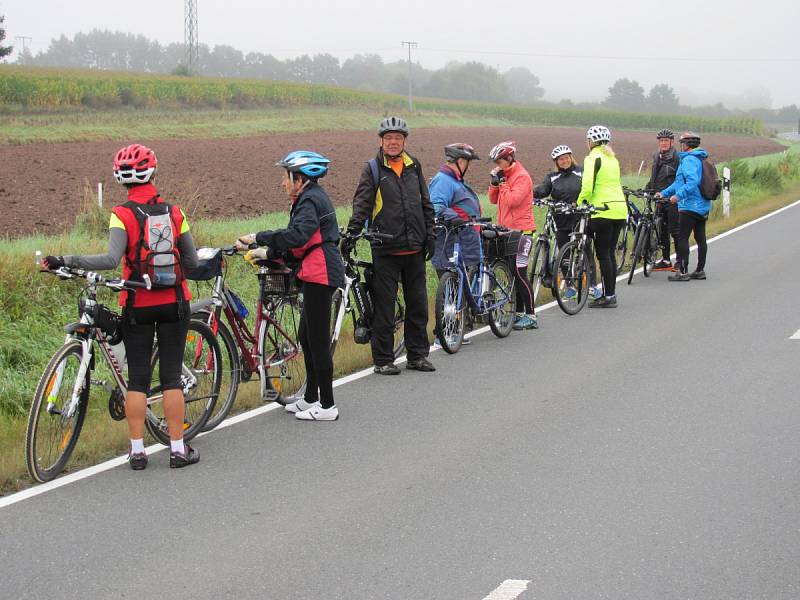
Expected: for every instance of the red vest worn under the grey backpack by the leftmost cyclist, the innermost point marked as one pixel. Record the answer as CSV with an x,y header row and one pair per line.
x,y
142,194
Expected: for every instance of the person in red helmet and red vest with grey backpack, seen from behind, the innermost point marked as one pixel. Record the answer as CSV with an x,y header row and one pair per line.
x,y
159,312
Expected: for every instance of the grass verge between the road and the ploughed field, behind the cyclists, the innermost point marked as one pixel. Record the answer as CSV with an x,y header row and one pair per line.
x,y
34,306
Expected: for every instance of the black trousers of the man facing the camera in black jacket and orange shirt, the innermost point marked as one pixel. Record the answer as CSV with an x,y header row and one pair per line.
x,y
391,269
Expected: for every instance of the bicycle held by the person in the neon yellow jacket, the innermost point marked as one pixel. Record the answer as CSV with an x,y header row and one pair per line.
x,y
571,282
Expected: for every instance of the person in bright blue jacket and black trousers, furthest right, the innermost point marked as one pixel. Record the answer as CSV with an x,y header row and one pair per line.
x,y
693,209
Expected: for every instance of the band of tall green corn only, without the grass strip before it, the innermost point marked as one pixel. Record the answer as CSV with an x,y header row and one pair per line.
x,y
35,88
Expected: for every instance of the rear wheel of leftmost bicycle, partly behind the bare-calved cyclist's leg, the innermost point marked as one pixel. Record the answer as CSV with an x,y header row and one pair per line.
x,y
202,359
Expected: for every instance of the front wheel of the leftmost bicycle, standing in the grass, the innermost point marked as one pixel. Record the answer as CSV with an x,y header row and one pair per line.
x,y
54,421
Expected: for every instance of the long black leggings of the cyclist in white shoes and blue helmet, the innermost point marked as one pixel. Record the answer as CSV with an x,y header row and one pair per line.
x,y
314,334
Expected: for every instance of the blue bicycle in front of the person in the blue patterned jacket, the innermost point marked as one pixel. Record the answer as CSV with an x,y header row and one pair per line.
x,y
486,290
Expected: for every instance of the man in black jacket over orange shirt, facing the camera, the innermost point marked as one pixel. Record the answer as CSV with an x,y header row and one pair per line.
x,y
392,197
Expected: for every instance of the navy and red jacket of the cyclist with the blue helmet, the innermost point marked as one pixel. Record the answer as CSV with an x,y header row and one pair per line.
x,y
311,237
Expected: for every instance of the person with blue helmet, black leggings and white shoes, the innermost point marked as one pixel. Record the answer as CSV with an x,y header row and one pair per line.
x,y
311,240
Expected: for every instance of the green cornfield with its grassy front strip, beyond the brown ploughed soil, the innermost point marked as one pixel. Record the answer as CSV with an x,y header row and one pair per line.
x,y
53,105
